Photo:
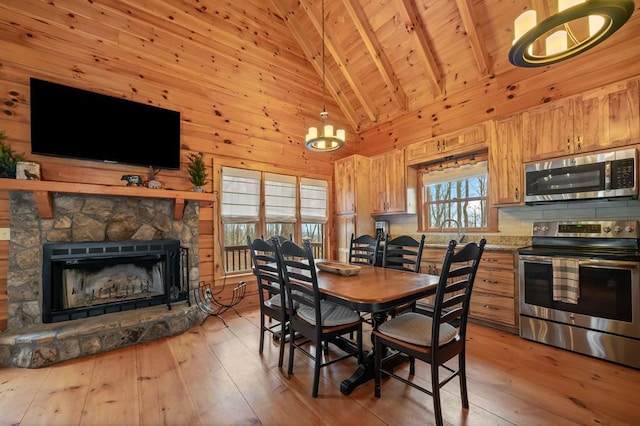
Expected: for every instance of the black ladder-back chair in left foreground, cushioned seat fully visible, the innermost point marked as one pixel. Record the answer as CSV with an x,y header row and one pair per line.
x,y
317,321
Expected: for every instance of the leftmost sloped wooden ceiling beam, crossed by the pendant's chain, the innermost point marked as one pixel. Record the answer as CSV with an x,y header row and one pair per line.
x,y
307,48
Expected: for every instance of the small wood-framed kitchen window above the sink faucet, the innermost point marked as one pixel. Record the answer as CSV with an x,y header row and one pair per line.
x,y
457,193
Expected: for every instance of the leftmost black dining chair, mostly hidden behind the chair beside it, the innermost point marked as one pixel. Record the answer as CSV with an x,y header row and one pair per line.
x,y
271,292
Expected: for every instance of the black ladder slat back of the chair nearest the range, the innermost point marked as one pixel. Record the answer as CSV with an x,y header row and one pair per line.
x,y
453,295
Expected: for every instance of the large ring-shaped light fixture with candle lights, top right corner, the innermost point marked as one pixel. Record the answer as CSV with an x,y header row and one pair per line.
x,y
578,26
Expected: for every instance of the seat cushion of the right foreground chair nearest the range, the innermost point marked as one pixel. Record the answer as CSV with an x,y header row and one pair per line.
x,y
416,328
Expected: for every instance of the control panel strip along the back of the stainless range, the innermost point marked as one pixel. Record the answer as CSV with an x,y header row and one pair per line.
x,y
592,229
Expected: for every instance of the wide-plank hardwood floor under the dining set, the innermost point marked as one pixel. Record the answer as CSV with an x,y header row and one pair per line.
x,y
213,375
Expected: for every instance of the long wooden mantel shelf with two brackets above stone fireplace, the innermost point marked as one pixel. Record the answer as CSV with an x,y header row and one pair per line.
x,y
43,193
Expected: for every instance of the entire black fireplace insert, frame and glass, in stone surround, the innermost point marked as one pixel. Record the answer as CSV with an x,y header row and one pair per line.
x,y
95,278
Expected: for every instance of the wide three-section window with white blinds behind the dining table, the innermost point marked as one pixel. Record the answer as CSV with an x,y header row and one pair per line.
x,y
292,207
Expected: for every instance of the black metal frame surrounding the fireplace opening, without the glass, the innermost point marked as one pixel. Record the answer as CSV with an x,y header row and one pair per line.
x,y
175,275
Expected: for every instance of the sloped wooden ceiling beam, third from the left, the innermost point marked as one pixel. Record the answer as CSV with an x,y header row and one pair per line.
x,y
381,61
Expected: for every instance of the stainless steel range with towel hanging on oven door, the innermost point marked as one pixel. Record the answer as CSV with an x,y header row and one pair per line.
x,y
579,288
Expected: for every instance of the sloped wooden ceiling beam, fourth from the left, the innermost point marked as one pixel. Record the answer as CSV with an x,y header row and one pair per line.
x,y
415,27
